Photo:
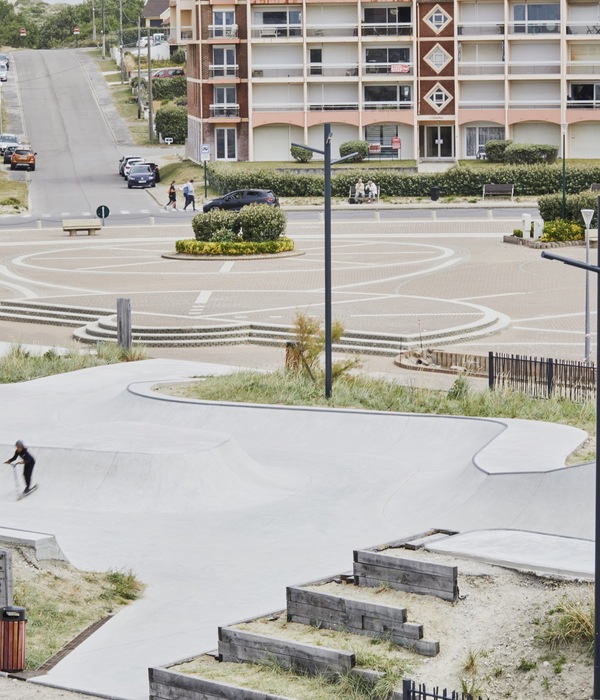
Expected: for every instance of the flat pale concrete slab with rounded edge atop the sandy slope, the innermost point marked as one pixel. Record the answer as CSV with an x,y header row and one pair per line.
x,y
523,550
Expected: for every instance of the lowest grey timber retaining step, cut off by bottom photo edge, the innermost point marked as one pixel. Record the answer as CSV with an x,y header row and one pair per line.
x,y
168,685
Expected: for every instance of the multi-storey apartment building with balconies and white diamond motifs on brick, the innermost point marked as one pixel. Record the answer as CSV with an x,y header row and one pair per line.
x,y
422,80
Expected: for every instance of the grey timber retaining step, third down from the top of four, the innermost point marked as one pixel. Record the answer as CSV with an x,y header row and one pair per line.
x,y
237,645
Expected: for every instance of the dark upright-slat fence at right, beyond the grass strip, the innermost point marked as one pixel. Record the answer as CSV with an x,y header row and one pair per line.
x,y
543,378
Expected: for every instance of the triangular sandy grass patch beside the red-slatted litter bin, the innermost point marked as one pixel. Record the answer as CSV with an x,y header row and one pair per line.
x,y
61,601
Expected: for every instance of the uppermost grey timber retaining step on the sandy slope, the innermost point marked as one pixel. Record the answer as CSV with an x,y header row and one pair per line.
x,y
374,569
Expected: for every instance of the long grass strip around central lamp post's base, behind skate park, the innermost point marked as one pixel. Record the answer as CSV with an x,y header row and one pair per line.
x,y
368,393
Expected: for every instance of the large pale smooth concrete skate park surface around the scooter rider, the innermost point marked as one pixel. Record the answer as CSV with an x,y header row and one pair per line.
x,y
218,507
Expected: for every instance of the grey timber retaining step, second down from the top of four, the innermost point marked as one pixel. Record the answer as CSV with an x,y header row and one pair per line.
x,y
357,617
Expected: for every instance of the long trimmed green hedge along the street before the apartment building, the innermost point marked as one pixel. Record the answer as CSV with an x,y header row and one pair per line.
x,y
529,180
